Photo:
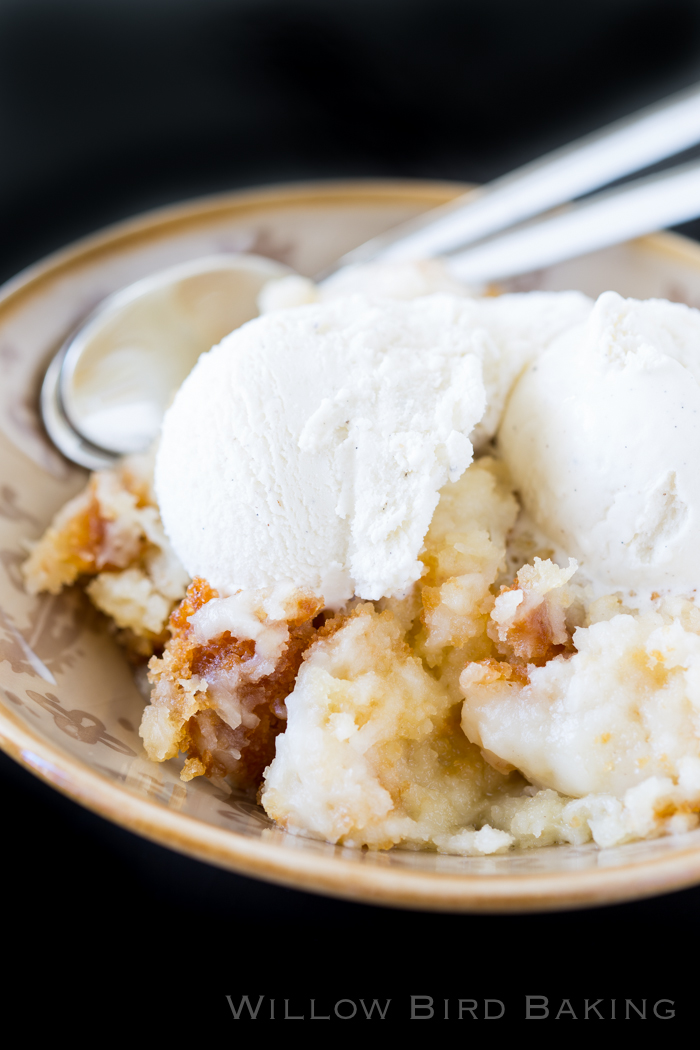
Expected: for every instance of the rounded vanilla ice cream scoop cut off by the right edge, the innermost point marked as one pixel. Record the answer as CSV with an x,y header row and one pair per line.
x,y
602,435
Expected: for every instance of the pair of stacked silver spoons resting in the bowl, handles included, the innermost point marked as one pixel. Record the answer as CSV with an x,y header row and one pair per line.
x,y
107,391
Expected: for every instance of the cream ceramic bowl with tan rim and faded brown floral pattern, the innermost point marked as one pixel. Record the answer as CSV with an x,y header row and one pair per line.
x,y
70,709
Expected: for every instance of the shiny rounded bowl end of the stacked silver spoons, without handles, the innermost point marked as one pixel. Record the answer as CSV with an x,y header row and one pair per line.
x,y
107,390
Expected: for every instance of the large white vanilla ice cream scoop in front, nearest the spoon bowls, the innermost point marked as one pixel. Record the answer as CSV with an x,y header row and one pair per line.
x,y
310,447
